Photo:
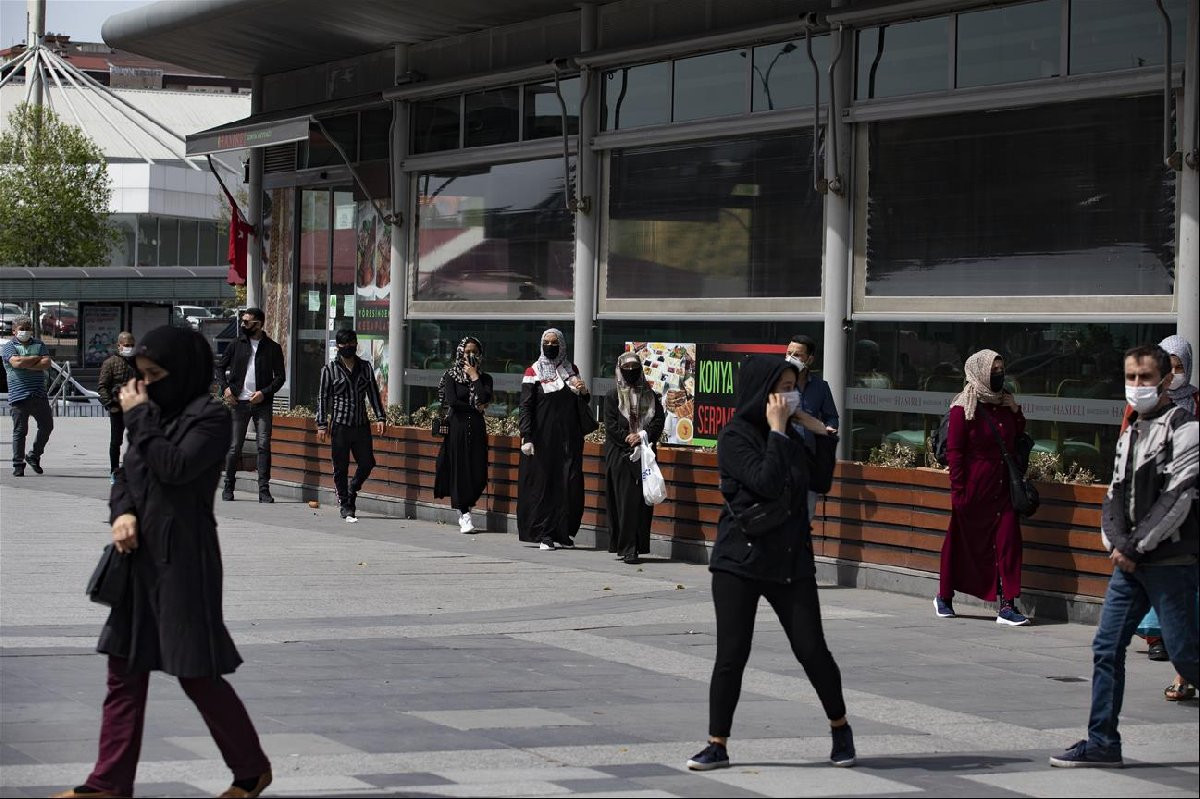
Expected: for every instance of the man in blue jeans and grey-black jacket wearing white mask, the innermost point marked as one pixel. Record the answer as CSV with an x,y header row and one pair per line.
x,y
1150,527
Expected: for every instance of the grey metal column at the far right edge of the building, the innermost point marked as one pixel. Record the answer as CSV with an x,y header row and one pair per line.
x,y
1187,259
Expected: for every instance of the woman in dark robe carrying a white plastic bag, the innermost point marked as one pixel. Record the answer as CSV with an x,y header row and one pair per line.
x,y
629,411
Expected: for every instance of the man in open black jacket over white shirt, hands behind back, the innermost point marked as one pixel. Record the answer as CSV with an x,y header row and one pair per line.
x,y
249,393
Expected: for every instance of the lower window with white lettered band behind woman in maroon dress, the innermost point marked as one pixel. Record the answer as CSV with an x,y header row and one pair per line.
x,y
1067,377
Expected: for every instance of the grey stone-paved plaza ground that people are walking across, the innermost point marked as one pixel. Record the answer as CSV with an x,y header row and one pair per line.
x,y
400,658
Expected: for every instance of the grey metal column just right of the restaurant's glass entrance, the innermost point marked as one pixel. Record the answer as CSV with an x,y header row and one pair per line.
x,y
401,229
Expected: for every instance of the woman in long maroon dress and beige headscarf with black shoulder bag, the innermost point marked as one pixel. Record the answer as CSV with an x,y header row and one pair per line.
x,y
982,552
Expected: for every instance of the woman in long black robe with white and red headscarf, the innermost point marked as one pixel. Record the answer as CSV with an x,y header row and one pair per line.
x,y
550,483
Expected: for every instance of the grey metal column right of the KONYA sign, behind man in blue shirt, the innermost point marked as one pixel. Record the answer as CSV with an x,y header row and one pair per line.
x,y
838,253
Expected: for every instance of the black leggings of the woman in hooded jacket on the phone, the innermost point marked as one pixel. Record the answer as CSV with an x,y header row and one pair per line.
x,y
800,611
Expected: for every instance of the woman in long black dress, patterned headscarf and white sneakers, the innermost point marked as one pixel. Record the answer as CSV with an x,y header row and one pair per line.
x,y
465,392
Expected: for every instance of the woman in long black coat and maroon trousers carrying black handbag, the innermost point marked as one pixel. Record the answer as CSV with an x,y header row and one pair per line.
x,y
161,512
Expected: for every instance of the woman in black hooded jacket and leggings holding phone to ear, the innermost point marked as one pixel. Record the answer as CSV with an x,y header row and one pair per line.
x,y
764,462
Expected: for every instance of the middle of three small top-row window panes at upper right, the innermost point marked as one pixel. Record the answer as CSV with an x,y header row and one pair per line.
x,y
1010,45
